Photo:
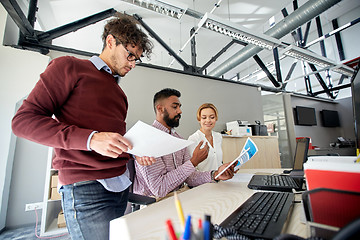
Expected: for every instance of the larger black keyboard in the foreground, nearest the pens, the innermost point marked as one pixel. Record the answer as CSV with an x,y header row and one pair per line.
x,y
263,215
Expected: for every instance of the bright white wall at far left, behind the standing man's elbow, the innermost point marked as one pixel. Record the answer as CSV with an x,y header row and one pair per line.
x,y
19,72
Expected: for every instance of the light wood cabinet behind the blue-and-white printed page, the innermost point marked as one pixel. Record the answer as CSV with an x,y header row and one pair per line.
x,y
268,155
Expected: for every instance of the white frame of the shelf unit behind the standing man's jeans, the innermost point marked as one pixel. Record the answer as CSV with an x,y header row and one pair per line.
x,y
51,208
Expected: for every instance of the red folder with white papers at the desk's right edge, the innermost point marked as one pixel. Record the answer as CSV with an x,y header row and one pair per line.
x,y
333,208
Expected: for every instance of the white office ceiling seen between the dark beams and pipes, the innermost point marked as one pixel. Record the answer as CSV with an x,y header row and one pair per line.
x,y
252,14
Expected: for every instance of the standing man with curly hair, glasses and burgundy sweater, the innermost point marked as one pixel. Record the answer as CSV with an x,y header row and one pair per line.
x,y
87,132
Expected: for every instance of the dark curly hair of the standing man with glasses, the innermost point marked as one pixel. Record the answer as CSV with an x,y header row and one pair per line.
x,y
126,31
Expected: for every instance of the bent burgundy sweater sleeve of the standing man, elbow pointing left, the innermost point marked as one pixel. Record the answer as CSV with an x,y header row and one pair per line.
x,y
34,121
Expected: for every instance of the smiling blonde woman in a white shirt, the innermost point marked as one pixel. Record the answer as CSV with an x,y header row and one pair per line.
x,y
207,115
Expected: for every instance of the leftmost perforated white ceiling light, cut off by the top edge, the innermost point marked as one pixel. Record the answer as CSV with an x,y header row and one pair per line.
x,y
161,7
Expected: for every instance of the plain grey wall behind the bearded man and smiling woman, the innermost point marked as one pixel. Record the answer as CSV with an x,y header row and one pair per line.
x,y
233,101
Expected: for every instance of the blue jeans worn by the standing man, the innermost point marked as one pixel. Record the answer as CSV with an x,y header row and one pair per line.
x,y
89,208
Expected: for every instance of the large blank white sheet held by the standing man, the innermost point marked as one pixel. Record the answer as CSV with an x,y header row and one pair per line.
x,y
152,142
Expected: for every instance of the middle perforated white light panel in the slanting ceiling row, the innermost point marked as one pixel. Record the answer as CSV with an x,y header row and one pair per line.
x,y
238,32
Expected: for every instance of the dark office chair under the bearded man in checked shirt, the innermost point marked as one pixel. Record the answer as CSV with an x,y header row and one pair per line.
x,y
135,200
